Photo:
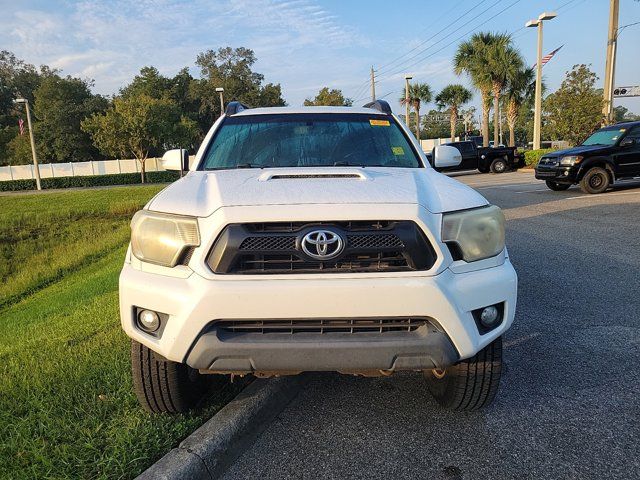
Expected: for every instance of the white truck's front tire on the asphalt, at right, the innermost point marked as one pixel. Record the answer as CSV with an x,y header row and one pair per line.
x,y
471,384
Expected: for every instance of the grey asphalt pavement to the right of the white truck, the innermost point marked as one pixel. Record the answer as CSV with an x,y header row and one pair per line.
x,y
569,401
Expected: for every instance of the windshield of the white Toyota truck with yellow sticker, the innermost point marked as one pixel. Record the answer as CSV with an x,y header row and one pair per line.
x,y
309,140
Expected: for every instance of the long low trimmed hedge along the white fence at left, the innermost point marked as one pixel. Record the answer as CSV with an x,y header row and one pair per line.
x,y
89,181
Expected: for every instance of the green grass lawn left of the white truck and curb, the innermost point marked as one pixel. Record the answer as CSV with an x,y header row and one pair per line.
x,y
67,408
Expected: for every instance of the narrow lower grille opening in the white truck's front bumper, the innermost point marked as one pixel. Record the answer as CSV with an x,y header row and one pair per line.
x,y
322,325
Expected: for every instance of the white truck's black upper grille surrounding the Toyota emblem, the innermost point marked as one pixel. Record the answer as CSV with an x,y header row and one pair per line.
x,y
275,248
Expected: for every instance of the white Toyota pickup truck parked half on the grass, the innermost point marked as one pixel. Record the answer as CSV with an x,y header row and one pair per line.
x,y
315,239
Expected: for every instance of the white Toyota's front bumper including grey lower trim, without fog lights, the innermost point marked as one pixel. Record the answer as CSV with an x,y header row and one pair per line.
x,y
194,304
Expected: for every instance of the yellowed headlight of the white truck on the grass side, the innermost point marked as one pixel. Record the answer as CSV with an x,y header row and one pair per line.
x,y
161,238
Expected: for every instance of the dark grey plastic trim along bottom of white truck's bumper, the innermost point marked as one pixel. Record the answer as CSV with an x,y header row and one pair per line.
x,y
426,348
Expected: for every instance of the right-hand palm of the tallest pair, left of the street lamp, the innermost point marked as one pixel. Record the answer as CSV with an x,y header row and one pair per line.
x,y
504,63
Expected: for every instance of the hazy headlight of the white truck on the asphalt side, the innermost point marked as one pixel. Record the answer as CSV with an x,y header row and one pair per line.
x,y
478,233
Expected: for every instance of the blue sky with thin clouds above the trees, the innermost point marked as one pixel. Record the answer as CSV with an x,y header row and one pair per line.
x,y
307,44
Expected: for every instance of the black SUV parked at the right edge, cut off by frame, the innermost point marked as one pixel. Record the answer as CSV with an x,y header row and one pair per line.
x,y
612,153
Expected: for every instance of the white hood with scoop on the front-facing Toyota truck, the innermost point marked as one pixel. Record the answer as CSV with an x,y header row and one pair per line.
x,y
201,193
